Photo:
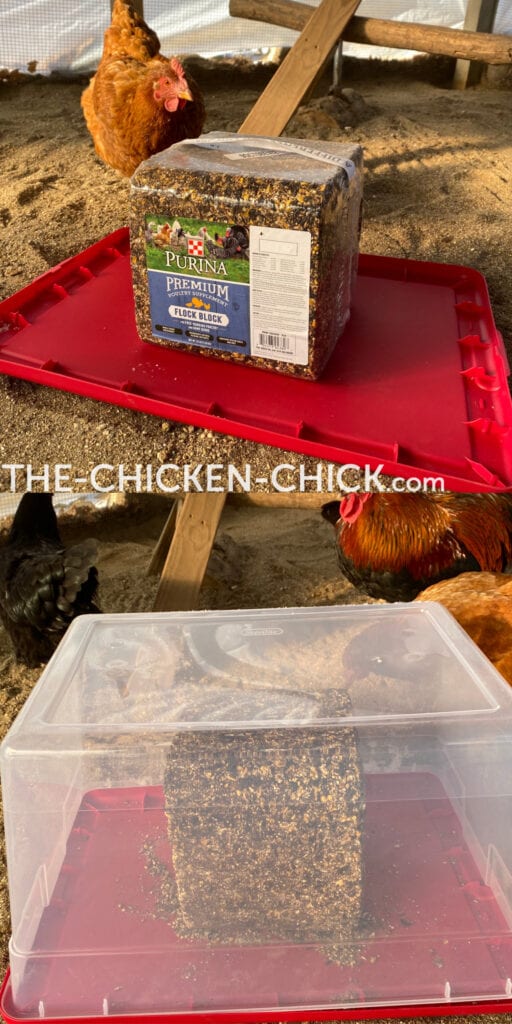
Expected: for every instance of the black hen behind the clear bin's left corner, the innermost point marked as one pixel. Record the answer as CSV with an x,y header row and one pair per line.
x,y
44,585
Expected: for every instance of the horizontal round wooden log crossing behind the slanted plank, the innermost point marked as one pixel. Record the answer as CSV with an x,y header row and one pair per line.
x,y
490,49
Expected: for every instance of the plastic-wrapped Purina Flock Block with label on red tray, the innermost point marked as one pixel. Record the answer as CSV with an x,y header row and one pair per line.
x,y
246,248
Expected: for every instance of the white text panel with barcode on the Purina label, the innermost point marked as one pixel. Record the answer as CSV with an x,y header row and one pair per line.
x,y
280,294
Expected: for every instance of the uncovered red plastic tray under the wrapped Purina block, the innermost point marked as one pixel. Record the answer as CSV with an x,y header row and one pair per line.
x,y
418,382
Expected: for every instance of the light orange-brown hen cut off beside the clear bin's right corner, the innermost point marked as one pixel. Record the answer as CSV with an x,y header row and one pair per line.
x,y
482,603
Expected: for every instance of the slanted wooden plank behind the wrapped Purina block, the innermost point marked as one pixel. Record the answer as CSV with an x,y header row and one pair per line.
x,y
286,90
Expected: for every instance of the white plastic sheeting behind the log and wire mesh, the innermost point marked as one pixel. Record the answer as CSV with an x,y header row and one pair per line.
x,y
68,37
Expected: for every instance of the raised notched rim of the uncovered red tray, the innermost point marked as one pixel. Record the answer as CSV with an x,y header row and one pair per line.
x,y
467,476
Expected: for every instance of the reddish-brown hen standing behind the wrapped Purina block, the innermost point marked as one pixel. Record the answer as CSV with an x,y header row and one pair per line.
x,y
139,103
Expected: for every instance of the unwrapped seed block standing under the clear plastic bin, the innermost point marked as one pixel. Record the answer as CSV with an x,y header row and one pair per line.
x,y
266,830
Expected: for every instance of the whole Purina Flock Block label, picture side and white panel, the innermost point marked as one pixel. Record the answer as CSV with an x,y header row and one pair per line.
x,y
235,288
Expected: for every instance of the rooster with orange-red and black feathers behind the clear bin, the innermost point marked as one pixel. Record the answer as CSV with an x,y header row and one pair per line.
x,y
393,546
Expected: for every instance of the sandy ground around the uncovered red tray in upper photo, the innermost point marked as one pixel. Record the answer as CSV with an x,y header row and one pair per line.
x,y
438,187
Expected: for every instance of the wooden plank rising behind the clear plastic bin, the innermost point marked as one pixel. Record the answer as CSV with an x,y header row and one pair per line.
x,y
188,559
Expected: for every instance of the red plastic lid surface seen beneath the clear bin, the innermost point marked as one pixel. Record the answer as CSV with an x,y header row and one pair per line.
x,y
432,919
